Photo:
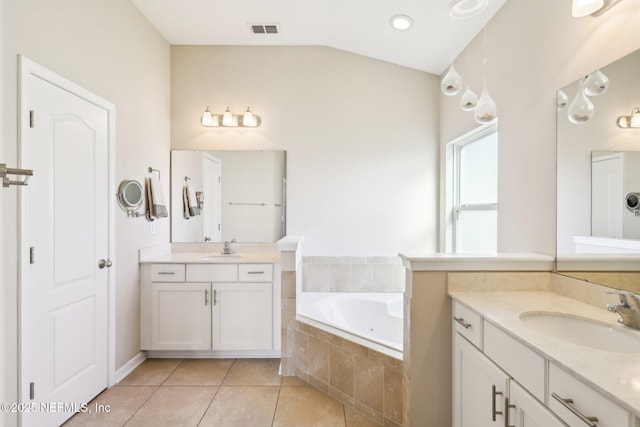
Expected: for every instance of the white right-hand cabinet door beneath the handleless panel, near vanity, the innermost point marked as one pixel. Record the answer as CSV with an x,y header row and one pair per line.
x,y
526,411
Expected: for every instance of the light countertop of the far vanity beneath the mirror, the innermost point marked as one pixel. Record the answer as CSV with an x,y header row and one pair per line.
x,y
213,258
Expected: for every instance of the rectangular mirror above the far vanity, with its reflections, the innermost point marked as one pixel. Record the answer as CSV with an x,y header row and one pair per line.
x,y
219,196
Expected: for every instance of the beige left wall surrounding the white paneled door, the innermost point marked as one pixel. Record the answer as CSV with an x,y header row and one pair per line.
x,y
109,48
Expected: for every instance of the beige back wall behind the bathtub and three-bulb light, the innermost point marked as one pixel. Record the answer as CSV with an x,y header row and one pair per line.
x,y
360,135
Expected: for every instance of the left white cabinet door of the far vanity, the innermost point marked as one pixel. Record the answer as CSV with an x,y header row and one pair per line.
x,y
180,316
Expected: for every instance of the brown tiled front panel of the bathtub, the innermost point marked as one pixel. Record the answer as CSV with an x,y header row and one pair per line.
x,y
359,377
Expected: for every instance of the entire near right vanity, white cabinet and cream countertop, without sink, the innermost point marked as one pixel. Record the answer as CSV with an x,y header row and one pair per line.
x,y
505,375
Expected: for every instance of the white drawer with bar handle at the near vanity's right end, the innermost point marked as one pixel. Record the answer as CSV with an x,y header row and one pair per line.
x,y
586,401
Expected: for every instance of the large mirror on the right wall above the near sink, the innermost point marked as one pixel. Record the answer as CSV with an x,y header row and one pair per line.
x,y
598,166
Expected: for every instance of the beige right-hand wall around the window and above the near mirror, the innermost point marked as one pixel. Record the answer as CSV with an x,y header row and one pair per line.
x,y
533,49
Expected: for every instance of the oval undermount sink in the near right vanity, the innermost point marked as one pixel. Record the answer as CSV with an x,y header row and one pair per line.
x,y
582,331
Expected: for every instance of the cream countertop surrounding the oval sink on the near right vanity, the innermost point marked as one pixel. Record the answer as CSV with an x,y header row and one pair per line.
x,y
615,375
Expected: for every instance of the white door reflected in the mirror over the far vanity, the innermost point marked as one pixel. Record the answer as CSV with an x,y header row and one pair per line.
x,y
212,190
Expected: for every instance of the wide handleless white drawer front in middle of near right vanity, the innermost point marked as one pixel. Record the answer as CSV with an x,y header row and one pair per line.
x,y
519,361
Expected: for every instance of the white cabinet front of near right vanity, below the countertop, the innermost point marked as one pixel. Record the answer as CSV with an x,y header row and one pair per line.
x,y
499,380
